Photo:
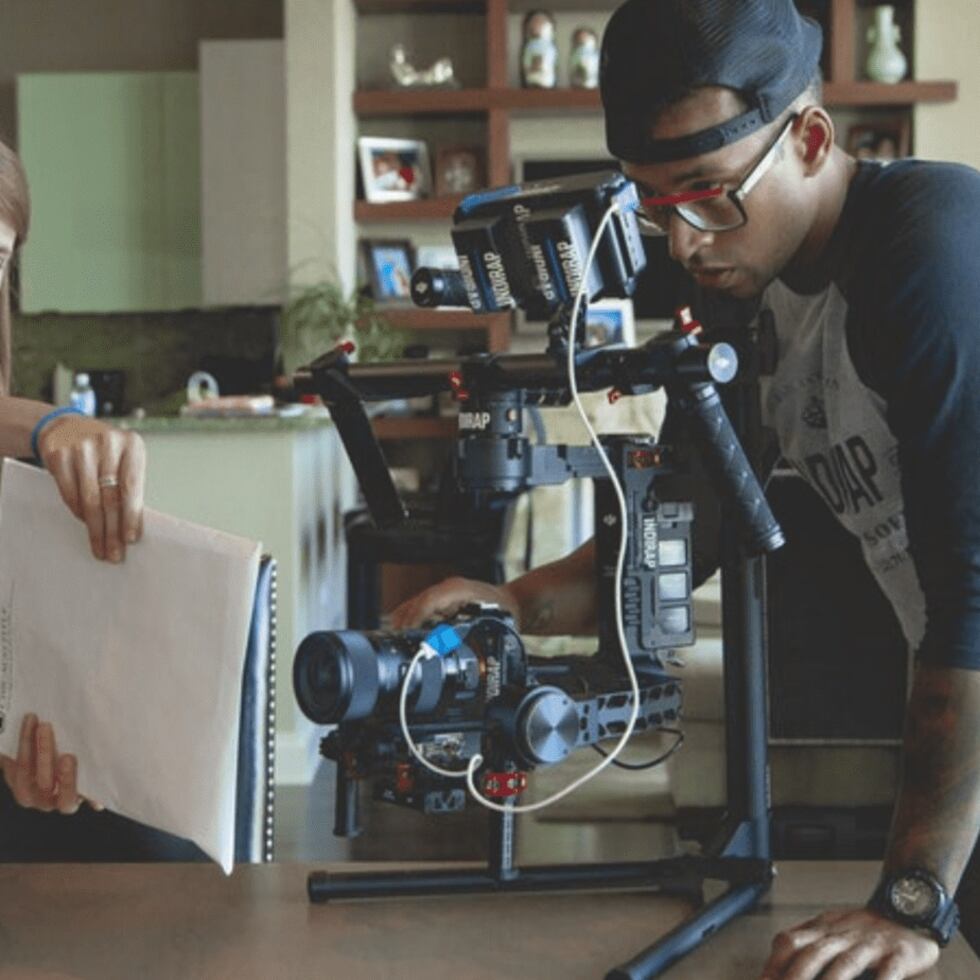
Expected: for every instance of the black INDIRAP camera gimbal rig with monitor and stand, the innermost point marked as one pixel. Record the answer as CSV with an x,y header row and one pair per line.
x,y
550,247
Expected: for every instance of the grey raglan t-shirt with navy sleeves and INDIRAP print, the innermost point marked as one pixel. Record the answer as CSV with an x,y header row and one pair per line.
x,y
875,399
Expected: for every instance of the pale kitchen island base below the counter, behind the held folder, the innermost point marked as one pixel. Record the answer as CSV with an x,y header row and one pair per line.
x,y
286,484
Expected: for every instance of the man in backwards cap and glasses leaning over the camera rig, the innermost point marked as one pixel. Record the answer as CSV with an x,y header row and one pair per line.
x,y
714,108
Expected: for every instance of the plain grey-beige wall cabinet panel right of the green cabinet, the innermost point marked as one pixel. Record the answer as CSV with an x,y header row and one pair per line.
x,y
243,172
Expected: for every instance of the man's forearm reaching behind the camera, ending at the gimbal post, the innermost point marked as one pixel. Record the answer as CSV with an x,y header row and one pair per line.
x,y
559,598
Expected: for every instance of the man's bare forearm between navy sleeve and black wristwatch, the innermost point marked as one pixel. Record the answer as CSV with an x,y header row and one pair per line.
x,y
938,809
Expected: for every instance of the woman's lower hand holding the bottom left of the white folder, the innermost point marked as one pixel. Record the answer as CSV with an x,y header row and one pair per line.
x,y
39,778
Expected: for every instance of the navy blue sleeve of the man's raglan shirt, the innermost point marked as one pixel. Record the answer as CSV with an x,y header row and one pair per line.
x,y
916,338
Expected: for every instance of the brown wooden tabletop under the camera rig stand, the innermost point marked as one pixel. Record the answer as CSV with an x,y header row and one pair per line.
x,y
189,922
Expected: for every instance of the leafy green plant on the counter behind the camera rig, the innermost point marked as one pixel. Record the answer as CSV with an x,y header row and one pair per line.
x,y
320,315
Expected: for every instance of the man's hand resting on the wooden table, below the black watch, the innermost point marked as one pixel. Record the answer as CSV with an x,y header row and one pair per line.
x,y
842,945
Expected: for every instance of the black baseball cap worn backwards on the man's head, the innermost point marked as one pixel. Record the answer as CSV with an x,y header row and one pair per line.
x,y
656,51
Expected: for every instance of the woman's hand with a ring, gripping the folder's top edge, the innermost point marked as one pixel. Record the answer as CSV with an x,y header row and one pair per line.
x,y
100,472
